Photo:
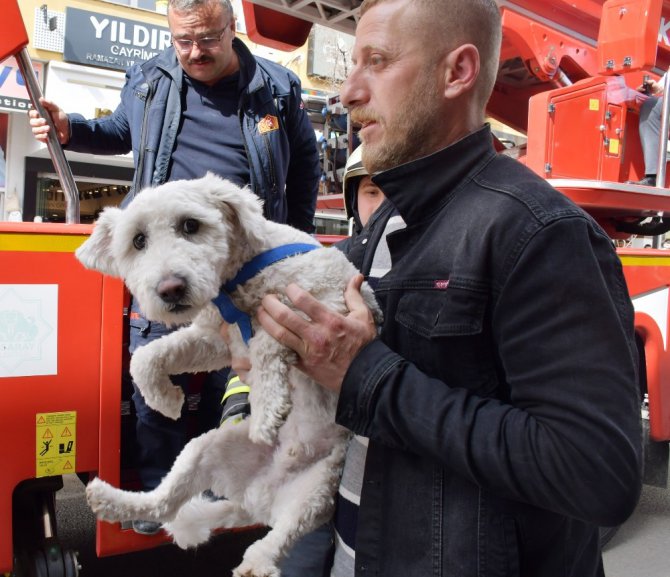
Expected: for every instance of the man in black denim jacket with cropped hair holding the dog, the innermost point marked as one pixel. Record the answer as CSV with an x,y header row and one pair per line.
x,y
500,399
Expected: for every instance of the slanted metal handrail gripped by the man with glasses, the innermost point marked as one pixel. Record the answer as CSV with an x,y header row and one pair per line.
x,y
55,149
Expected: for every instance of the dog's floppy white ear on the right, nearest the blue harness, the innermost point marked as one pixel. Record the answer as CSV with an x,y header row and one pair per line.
x,y
240,203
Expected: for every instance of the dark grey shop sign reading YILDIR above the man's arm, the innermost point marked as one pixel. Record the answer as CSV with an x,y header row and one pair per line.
x,y
110,42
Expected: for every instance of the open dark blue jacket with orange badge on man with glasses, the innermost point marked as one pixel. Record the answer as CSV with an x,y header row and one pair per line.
x,y
284,163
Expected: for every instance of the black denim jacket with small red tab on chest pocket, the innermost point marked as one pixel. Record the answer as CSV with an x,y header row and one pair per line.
x,y
501,399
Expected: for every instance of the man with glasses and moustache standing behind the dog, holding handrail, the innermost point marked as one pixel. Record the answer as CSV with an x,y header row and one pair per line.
x,y
204,104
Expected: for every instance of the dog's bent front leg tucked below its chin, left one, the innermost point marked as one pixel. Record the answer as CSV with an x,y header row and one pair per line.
x,y
196,348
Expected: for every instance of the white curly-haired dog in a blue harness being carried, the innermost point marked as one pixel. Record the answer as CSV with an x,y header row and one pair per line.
x,y
176,246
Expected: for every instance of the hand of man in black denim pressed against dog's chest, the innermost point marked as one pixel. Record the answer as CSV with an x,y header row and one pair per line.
x,y
326,342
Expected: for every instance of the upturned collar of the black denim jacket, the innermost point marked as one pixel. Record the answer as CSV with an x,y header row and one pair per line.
x,y
421,187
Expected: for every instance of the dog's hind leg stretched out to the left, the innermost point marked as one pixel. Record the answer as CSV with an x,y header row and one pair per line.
x,y
184,480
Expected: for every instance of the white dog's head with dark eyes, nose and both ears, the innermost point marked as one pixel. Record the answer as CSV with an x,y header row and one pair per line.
x,y
174,245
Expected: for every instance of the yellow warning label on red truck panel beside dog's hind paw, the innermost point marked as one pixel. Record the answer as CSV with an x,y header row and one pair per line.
x,y
56,443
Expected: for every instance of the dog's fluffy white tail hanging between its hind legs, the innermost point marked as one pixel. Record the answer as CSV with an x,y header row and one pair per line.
x,y
196,520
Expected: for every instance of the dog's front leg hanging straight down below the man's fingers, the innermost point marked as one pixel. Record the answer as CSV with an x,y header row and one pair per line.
x,y
270,397
